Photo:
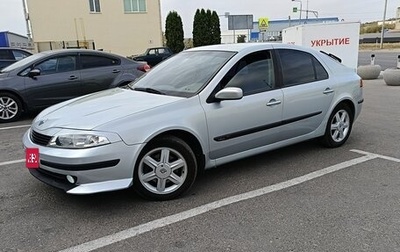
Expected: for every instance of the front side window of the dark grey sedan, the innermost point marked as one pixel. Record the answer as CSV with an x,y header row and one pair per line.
x,y
57,65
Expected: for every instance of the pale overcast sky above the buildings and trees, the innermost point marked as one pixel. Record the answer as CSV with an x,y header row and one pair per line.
x,y
12,17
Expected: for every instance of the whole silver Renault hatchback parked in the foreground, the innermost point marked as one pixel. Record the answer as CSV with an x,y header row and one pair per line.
x,y
204,107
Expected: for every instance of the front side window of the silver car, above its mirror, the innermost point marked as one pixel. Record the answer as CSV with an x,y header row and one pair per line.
x,y
254,73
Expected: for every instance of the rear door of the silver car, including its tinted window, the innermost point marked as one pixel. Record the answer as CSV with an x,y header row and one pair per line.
x,y
308,92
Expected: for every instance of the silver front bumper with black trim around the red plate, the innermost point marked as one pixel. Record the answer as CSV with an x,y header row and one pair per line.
x,y
98,169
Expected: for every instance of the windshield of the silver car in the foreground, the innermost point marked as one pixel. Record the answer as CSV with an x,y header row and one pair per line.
x,y
183,75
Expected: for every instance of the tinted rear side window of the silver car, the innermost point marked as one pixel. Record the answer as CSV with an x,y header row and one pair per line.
x,y
300,67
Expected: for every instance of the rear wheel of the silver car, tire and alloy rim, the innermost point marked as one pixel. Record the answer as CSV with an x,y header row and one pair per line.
x,y
339,127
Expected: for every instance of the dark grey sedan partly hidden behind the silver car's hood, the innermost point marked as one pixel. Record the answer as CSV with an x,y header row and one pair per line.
x,y
50,77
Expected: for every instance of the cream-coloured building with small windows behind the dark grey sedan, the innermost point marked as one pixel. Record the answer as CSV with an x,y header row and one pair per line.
x,y
125,27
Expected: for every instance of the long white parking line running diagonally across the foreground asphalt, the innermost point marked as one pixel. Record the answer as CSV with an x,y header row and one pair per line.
x,y
168,220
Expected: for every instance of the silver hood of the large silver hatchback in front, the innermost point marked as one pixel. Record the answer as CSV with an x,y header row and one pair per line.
x,y
90,111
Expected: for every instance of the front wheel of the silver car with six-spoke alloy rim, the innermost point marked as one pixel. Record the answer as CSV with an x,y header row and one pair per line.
x,y
155,178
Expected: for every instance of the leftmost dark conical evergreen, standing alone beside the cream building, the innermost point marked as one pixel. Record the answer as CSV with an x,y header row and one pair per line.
x,y
174,32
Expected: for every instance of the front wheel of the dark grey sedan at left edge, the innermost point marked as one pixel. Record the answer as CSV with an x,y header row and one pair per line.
x,y
10,107
